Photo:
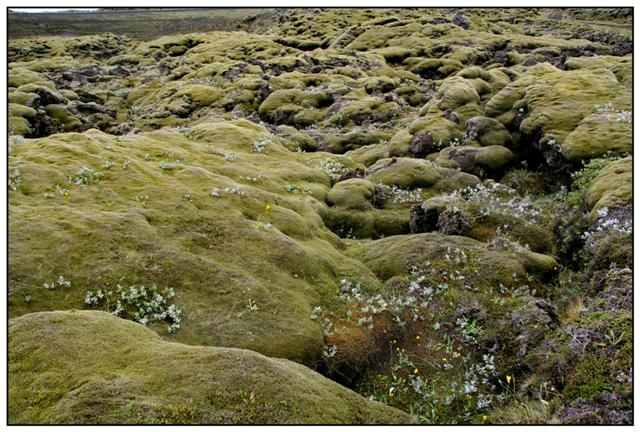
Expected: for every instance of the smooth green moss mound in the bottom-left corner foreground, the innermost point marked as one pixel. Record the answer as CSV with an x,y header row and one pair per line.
x,y
132,376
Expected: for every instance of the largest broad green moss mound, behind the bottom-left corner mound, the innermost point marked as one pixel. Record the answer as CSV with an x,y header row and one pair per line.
x,y
189,234
